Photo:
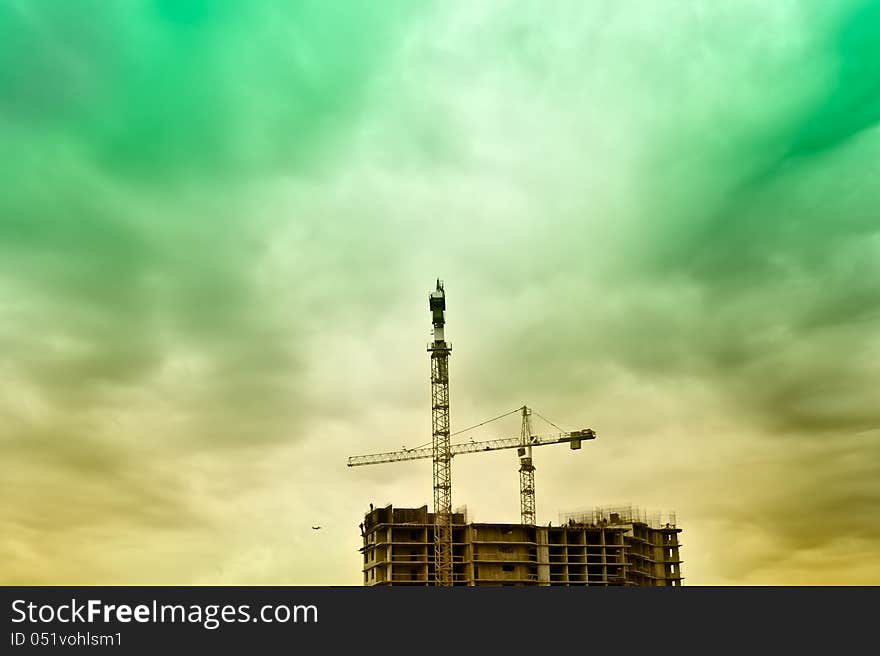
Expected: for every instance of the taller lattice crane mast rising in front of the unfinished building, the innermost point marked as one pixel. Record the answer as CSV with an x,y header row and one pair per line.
x,y
440,448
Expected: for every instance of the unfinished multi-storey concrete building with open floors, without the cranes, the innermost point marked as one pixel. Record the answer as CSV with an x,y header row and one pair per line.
x,y
398,550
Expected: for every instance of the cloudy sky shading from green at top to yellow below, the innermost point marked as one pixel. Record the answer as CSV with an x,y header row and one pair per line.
x,y
220,221
